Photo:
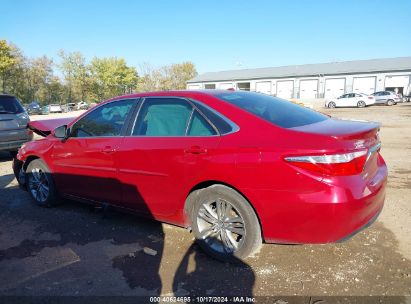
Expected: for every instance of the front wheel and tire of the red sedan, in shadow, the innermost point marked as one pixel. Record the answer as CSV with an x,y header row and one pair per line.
x,y
40,184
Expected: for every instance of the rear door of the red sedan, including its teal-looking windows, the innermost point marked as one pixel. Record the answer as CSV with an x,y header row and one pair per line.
x,y
170,145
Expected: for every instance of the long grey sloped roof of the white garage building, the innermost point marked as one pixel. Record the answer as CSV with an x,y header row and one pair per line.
x,y
332,68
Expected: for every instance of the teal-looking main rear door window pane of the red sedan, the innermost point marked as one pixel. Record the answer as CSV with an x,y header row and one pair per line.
x,y
163,117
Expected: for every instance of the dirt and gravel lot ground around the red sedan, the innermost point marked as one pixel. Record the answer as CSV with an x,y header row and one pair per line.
x,y
73,250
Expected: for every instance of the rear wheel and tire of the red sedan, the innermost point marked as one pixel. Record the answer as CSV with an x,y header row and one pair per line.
x,y
224,224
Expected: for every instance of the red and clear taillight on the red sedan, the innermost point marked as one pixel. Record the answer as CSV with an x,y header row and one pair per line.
x,y
331,164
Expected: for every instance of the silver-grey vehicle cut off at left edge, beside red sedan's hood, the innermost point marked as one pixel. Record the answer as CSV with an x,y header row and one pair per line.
x,y
13,124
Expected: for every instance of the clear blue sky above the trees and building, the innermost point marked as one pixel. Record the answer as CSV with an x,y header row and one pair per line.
x,y
214,34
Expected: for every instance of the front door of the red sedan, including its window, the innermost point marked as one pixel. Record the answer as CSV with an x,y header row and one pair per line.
x,y
85,163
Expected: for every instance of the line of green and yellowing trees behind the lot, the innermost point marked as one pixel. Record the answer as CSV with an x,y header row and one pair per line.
x,y
74,78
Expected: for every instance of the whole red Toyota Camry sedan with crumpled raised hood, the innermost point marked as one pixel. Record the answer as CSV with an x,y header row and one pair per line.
x,y
238,168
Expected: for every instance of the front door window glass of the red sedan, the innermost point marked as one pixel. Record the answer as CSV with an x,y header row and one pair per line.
x,y
104,121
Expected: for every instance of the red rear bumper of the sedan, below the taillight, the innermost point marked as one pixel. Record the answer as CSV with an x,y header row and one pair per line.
x,y
324,215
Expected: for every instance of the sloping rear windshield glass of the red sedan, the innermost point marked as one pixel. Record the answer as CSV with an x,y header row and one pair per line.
x,y
278,111
